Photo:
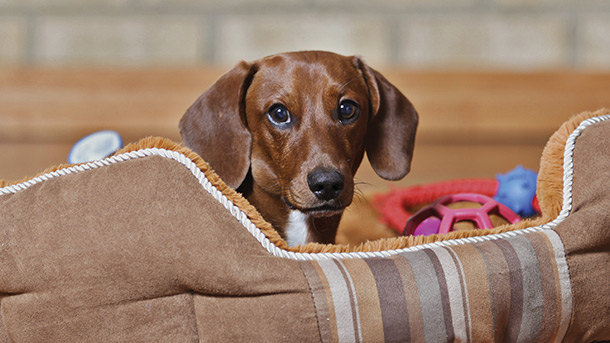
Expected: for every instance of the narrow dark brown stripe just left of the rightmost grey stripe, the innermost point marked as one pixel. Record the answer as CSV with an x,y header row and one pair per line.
x,y
516,294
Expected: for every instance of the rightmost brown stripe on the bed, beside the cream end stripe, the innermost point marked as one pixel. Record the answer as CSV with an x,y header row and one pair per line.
x,y
546,261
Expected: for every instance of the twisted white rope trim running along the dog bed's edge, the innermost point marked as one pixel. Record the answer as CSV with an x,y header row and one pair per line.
x,y
568,173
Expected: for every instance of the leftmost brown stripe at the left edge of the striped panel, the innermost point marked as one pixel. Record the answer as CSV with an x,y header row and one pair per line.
x,y
320,300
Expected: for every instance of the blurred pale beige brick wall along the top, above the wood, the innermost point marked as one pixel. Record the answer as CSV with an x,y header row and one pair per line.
x,y
420,34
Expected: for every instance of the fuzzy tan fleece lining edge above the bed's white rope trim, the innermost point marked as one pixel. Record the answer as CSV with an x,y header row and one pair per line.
x,y
550,195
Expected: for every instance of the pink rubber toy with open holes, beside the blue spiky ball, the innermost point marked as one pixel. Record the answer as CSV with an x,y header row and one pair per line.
x,y
438,218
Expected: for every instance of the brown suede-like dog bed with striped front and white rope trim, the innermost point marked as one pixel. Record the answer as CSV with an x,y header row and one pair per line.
x,y
150,245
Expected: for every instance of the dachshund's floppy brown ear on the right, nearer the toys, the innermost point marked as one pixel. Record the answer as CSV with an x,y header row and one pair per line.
x,y
392,124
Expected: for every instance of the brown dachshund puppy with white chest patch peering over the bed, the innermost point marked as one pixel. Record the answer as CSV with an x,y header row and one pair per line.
x,y
290,130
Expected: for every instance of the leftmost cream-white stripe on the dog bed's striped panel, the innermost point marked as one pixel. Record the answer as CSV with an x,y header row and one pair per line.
x,y
342,304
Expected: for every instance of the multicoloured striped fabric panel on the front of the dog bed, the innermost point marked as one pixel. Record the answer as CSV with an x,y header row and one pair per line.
x,y
514,290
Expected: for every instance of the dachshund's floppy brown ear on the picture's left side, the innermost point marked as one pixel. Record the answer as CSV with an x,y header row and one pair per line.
x,y
215,127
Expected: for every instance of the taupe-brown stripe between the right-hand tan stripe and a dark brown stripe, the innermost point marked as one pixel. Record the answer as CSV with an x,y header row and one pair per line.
x,y
499,285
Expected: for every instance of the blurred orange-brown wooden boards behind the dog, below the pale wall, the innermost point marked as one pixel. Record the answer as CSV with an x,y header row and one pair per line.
x,y
472,124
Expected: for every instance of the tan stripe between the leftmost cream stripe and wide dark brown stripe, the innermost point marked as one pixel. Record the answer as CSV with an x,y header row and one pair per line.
x,y
367,298
